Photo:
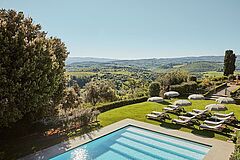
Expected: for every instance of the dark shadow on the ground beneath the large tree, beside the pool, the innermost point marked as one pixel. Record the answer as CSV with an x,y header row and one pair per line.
x,y
16,148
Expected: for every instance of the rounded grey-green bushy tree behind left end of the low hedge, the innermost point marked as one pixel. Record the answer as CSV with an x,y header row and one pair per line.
x,y
99,91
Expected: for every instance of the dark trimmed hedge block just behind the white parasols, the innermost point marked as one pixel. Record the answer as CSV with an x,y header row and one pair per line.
x,y
185,87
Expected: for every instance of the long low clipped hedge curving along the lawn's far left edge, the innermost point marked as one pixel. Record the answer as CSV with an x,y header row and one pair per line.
x,y
117,104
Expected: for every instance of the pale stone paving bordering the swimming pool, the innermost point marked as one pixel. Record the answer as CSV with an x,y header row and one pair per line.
x,y
220,150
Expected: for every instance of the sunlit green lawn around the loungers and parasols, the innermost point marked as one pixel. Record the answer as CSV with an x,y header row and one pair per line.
x,y
138,112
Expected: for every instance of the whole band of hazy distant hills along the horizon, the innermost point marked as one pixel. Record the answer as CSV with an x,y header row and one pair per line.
x,y
198,64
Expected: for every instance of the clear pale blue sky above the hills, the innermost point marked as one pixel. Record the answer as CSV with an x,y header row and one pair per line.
x,y
128,29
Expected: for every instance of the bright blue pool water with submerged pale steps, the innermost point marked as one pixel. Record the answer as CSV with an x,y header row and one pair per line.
x,y
139,144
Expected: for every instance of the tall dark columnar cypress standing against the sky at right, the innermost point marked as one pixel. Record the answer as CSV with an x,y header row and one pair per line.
x,y
229,63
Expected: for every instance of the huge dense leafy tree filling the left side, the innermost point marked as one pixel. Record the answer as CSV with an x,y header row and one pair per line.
x,y
31,69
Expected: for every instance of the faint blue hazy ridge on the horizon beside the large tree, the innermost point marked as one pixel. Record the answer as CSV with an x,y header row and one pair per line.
x,y
87,59
